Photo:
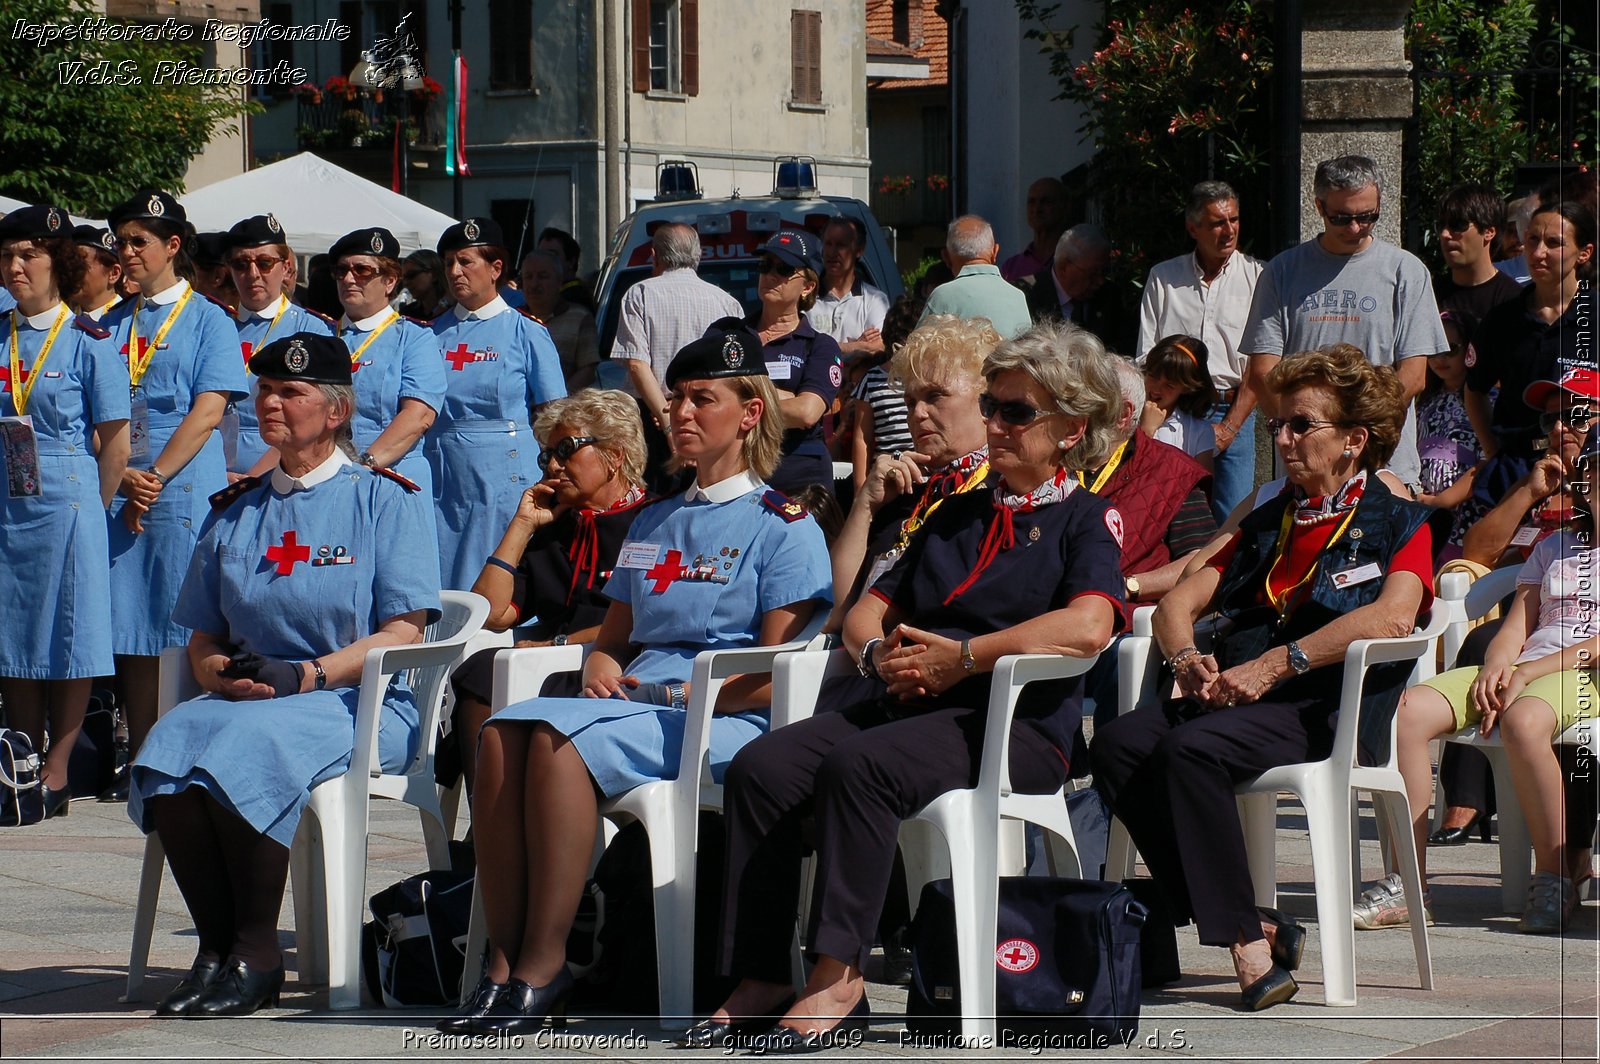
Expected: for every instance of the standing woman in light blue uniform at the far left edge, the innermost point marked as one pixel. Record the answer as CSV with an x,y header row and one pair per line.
x,y
65,377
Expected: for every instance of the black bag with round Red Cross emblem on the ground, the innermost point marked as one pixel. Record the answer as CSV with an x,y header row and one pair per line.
x,y
1066,966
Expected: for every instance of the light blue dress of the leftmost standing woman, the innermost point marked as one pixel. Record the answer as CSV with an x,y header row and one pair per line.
x,y
57,577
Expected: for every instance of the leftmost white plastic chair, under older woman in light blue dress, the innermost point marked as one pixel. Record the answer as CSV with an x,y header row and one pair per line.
x,y
329,858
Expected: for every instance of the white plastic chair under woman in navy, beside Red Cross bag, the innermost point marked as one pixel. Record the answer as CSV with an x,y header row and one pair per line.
x,y
970,820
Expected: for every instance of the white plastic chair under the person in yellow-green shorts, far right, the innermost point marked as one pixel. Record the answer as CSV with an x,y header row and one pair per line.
x,y
1466,601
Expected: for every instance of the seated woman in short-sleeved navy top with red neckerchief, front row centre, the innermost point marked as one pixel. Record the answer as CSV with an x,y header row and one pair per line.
x,y
1030,566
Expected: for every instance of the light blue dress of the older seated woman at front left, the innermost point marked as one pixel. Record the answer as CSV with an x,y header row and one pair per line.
x,y
290,577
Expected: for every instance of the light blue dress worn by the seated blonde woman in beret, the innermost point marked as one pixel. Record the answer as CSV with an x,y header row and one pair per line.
x,y
698,577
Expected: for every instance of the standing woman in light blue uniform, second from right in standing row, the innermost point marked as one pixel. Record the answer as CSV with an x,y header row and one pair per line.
x,y
399,375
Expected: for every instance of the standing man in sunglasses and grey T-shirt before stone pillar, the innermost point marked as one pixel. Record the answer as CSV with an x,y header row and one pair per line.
x,y
1346,287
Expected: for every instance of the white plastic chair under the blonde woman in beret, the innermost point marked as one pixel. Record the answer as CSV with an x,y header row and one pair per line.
x,y
668,809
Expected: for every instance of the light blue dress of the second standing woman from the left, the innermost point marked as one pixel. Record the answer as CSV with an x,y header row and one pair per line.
x,y
199,354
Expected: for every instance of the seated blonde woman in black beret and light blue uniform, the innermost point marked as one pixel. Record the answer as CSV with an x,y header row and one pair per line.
x,y
727,564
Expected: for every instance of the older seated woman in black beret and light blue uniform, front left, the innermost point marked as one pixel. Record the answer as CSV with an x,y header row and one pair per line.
x,y
297,577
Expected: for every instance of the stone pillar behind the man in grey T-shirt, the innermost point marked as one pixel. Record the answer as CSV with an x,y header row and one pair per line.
x,y
1356,97
